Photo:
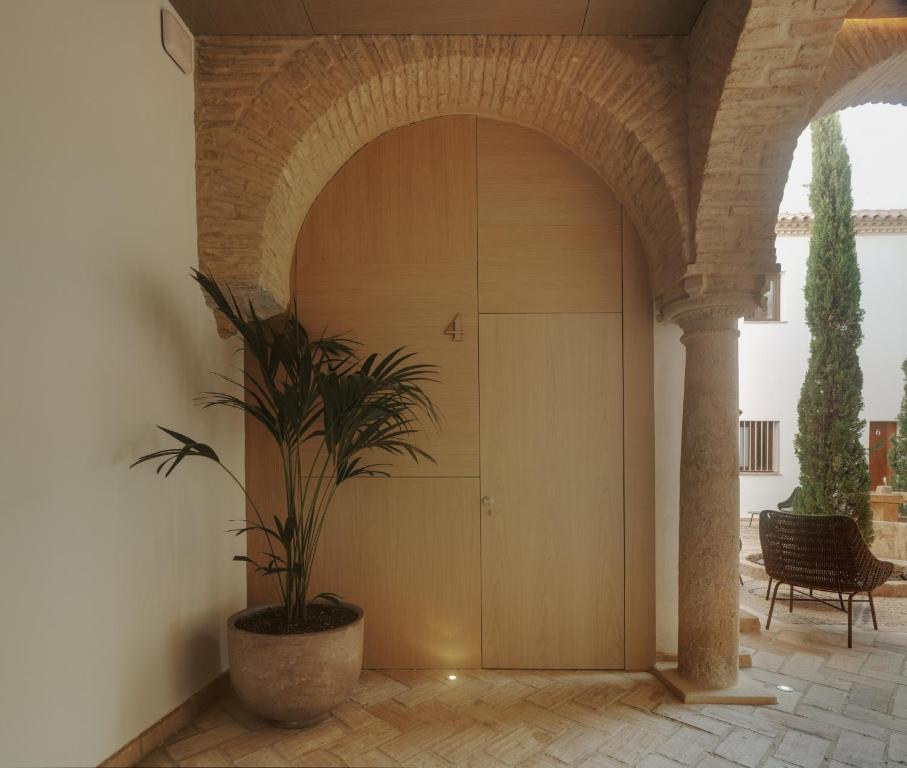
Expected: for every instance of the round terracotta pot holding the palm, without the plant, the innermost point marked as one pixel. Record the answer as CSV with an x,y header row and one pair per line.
x,y
294,680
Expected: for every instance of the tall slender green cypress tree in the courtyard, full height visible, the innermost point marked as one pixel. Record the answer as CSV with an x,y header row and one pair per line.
x,y
834,472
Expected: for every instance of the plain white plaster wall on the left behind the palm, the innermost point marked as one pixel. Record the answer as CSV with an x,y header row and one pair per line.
x,y
115,583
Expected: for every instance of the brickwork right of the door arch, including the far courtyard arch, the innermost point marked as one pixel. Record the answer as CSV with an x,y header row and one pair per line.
x,y
788,66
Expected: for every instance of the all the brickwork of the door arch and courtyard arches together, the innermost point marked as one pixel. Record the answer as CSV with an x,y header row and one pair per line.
x,y
694,135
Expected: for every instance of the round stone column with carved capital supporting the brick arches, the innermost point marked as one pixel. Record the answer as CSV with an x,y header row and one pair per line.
x,y
708,622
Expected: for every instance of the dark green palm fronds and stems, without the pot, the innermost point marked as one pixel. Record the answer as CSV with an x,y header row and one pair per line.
x,y
307,390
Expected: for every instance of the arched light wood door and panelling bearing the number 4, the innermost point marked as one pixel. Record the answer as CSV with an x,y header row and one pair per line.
x,y
497,231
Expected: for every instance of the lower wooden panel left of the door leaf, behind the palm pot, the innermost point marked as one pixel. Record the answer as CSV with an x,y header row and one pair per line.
x,y
407,551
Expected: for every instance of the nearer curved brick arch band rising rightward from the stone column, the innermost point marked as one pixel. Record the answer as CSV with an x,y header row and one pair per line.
x,y
765,101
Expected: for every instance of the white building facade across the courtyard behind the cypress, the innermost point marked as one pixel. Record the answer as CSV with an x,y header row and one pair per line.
x,y
774,352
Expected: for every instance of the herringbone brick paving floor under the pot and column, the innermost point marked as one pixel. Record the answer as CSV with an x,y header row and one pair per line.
x,y
848,709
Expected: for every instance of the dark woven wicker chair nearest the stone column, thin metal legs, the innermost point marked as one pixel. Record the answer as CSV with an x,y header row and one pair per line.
x,y
825,553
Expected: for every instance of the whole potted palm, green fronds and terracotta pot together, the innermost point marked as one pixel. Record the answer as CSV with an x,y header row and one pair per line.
x,y
330,413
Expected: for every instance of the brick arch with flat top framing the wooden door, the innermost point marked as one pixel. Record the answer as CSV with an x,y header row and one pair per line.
x,y
277,118
